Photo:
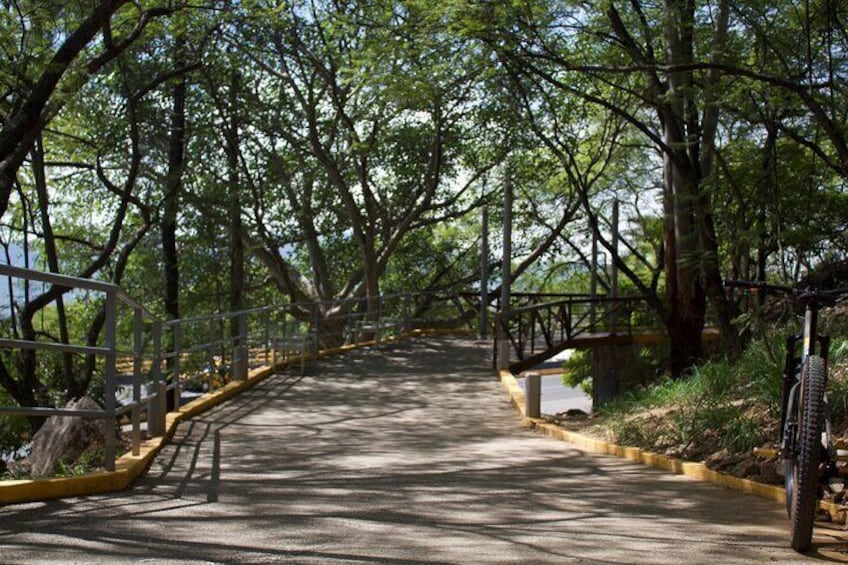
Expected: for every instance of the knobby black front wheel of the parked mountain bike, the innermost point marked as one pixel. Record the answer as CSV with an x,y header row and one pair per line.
x,y
807,458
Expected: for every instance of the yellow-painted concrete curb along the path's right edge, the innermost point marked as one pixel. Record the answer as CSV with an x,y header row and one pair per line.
x,y
697,471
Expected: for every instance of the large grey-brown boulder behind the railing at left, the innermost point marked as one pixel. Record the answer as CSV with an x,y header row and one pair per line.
x,y
64,438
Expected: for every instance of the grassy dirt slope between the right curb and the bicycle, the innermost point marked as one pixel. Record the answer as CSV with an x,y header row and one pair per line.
x,y
718,406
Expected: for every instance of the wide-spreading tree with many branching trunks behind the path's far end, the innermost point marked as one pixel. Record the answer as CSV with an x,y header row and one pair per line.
x,y
361,132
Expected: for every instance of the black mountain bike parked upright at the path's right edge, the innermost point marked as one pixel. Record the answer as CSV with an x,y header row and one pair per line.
x,y
806,441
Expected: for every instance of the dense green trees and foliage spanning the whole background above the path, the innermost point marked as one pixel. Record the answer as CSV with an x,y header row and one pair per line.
x,y
218,154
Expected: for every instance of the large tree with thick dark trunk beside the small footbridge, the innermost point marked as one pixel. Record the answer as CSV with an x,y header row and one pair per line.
x,y
626,60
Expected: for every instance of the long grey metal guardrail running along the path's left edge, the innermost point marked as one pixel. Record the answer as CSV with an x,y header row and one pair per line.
x,y
164,358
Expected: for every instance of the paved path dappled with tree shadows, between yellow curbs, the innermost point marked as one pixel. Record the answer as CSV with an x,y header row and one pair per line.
x,y
406,454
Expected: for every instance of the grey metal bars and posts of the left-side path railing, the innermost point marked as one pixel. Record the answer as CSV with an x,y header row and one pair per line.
x,y
154,403
